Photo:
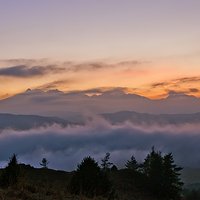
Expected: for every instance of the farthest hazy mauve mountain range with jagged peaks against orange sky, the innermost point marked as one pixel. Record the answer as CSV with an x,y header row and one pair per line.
x,y
74,105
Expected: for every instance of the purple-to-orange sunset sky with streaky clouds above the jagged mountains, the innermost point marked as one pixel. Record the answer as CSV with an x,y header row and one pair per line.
x,y
147,47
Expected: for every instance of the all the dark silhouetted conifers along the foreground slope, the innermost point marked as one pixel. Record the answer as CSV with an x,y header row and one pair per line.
x,y
157,176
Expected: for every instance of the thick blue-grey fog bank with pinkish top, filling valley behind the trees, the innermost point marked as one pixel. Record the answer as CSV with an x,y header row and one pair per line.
x,y
65,147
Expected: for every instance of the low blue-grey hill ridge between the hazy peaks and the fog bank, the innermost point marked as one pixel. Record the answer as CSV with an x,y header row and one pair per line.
x,y
25,122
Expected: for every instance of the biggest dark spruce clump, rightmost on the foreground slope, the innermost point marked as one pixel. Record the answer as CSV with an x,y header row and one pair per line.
x,y
163,176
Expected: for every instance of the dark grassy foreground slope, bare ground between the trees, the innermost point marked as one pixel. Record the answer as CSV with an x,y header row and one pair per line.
x,y
47,184
